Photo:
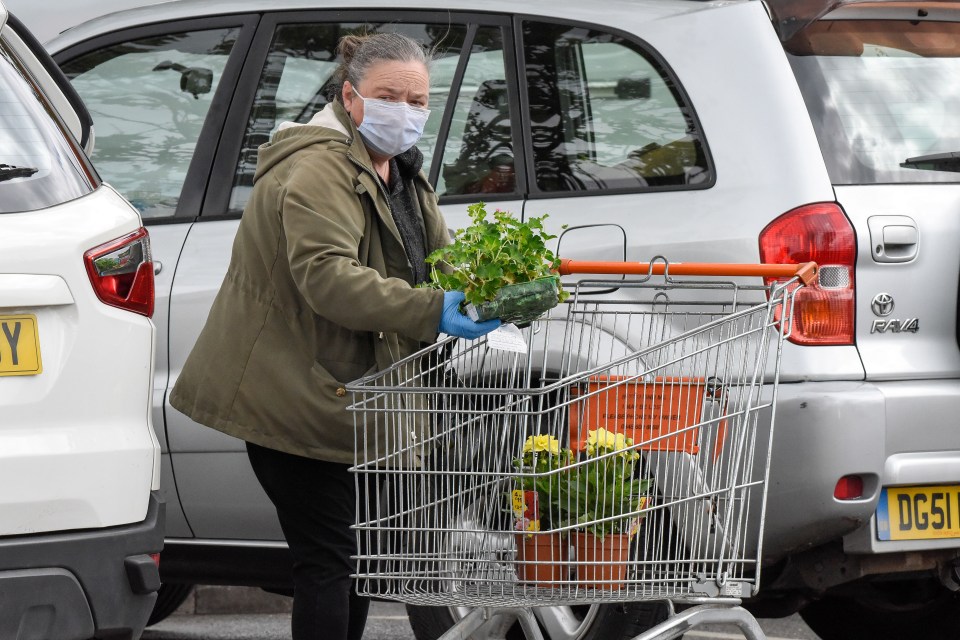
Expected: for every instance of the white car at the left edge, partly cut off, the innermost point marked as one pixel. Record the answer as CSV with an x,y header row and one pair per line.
x,y
81,518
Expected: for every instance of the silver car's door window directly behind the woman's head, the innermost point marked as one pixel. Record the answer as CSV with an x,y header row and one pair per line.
x,y
297,82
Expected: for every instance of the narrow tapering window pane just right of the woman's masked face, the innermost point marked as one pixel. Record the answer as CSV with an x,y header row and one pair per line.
x,y
478,154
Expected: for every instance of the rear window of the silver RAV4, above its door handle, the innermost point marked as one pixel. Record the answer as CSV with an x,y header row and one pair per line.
x,y
883,97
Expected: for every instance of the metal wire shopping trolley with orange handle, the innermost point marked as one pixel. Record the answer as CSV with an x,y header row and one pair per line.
x,y
615,450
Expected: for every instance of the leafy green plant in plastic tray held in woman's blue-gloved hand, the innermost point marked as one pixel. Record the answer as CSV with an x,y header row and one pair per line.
x,y
503,266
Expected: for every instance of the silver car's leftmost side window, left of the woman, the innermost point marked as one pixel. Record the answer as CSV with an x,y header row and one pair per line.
x,y
149,98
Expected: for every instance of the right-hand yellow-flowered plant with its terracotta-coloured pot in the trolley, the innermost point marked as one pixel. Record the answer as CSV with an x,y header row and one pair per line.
x,y
605,499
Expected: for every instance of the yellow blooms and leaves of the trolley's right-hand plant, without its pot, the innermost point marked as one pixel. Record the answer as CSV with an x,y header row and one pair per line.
x,y
605,485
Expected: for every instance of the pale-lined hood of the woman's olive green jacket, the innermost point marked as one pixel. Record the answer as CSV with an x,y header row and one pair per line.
x,y
330,125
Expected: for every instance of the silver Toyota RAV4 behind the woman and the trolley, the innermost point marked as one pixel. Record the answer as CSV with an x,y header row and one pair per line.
x,y
732,131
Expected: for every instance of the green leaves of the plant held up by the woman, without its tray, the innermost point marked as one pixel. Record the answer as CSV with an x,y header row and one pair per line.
x,y
493,253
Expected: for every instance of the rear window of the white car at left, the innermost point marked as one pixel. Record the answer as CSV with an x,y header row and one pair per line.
x,y
39,167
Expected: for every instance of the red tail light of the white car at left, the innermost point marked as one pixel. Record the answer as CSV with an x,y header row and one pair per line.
x,y
121,272
